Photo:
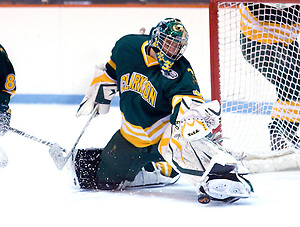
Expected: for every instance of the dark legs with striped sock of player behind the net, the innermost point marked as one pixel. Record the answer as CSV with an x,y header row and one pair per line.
x,y
280,64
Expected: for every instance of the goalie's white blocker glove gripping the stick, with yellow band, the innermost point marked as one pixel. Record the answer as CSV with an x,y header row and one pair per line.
x,y
101,92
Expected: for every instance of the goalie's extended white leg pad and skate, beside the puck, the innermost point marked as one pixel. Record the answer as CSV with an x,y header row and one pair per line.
x,y
214,172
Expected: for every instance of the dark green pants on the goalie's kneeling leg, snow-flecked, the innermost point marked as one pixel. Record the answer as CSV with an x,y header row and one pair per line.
x,y
121,161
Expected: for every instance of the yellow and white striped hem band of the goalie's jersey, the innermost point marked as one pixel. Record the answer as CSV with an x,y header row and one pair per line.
x,y
143,137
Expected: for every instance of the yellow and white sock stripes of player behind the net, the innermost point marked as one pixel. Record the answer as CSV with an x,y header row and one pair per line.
x,y
288,111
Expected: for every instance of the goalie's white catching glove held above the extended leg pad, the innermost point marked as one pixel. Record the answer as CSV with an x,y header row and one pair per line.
x,y
200,120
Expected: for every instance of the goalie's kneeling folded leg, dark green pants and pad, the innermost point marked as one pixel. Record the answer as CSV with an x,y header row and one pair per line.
x,y
119,165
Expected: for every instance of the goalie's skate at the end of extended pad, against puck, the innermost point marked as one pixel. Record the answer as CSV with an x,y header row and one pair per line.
x,y
225,183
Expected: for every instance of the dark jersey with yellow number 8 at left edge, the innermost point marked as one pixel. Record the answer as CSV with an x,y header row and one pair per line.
x,y
7,78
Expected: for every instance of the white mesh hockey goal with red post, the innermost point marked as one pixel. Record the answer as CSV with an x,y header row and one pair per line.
x,y
255,64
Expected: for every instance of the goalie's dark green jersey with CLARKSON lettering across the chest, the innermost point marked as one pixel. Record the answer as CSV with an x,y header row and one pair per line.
x,y
148,99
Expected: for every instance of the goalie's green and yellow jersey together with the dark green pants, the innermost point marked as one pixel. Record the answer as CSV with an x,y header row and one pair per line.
x,y
148,102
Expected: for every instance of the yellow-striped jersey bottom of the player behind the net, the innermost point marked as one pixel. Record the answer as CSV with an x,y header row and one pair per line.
x,y
267,24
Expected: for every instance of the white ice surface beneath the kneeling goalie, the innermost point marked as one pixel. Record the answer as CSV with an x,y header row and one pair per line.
x,y
33,192
